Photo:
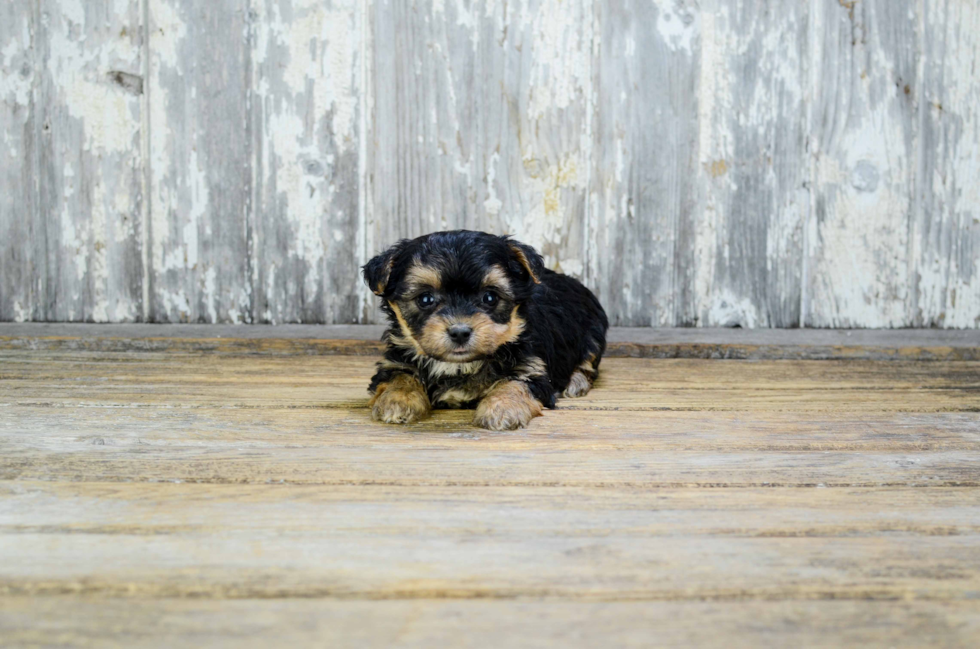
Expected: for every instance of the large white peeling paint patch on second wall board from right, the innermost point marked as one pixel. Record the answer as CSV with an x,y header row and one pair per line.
x,y
860,272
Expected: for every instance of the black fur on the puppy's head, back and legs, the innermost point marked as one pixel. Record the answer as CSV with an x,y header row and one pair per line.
x,y
564,324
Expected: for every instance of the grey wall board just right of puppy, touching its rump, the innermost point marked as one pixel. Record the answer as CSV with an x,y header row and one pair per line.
x,y
643,188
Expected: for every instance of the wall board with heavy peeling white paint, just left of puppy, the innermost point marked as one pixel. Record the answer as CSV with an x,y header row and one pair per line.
x,y
304,104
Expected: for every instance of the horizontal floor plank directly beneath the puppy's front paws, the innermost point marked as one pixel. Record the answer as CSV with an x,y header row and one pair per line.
x,y
177,443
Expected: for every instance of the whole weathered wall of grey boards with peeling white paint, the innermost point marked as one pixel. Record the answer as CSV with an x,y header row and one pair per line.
x,y
768,163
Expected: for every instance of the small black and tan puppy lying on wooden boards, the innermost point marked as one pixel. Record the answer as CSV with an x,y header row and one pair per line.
x,y
477,321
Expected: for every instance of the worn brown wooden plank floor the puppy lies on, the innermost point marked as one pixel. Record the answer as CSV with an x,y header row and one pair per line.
x,y
180,497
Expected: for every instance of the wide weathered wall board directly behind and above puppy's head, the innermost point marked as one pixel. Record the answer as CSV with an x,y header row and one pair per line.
x,y
478,119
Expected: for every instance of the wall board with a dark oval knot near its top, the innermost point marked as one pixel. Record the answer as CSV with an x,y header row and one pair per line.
x,y
90,167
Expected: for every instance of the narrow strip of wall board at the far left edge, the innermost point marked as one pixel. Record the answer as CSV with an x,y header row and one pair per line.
x,y
20,236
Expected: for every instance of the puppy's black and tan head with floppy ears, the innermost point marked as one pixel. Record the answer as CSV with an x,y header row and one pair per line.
x,y
455,296
